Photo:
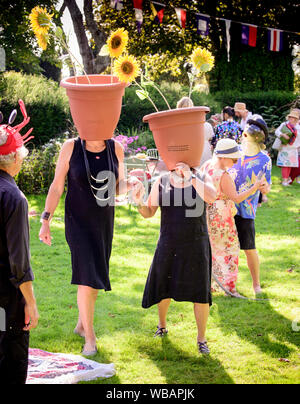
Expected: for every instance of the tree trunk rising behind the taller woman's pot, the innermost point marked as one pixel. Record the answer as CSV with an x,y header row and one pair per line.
x,y
92,63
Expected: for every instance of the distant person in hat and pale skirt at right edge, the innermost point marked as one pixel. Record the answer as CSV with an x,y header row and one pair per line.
x,y
289,134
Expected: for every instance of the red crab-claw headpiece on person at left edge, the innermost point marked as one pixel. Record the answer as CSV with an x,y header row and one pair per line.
x,y
14,139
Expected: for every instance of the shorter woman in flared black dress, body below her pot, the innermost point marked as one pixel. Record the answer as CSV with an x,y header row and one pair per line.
x,y
181,268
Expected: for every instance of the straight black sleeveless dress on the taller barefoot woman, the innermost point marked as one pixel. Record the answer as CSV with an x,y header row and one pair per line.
x,y
88,226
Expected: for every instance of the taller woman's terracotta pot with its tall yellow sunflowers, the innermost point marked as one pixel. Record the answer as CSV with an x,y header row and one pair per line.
x,y
95,100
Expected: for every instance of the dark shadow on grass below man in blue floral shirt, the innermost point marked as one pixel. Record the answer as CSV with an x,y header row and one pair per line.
x,y
259,324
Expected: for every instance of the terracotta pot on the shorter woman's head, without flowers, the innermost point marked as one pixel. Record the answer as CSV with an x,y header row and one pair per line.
x,y
179,135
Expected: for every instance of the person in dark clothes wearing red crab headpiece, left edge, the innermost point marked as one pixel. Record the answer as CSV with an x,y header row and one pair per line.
x,y
17,301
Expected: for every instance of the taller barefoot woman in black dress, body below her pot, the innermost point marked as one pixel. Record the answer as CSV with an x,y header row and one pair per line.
x,y
94,170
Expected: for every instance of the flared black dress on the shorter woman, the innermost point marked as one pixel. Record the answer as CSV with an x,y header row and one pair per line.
x,y
181,268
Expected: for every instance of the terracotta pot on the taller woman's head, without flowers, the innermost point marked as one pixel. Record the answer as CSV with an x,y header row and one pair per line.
x,y
95,107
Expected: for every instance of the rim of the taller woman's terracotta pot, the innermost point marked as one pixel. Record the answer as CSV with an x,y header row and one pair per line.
x,y
70,83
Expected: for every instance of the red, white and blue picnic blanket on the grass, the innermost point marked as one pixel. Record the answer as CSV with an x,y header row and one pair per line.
x,y
57,368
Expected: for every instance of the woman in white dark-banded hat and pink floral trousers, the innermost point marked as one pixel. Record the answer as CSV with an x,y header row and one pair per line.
x,y
220,214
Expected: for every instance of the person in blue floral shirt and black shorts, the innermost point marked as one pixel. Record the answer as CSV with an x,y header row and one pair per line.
x,y
254,165
